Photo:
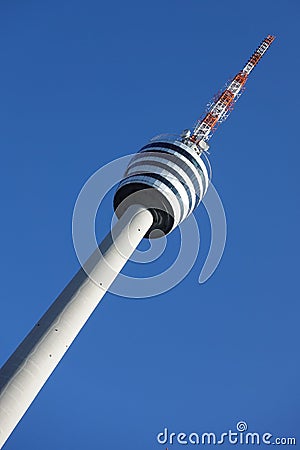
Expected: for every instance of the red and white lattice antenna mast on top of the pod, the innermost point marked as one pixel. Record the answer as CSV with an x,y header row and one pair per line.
x,y
223,104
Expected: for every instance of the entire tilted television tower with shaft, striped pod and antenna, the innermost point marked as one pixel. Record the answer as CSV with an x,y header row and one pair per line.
x,y
164,182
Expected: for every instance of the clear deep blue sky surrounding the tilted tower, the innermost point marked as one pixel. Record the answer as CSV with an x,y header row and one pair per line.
x,y
84,82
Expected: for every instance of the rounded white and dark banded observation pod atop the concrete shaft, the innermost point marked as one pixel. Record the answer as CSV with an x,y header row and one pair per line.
x,y
169,177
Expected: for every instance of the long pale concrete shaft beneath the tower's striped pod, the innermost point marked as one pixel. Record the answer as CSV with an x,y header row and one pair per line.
x,y
28,368
